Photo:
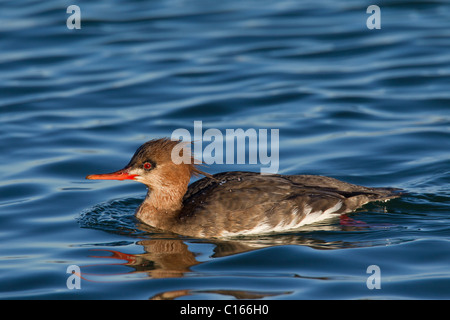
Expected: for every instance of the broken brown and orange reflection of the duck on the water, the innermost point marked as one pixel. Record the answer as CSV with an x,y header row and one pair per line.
x,y
172,256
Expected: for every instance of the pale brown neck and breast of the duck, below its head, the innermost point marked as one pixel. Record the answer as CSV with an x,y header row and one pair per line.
x,y
161,206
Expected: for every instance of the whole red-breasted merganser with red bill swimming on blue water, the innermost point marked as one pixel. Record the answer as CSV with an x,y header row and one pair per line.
x,y
234,203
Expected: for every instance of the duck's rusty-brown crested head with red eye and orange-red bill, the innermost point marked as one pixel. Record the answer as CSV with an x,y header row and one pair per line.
x,y
152,165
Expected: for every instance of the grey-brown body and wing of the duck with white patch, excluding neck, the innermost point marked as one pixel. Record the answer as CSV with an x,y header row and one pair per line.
x,y
272,202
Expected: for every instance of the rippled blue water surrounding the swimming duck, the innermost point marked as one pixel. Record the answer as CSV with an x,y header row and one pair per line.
x,y
366,106
